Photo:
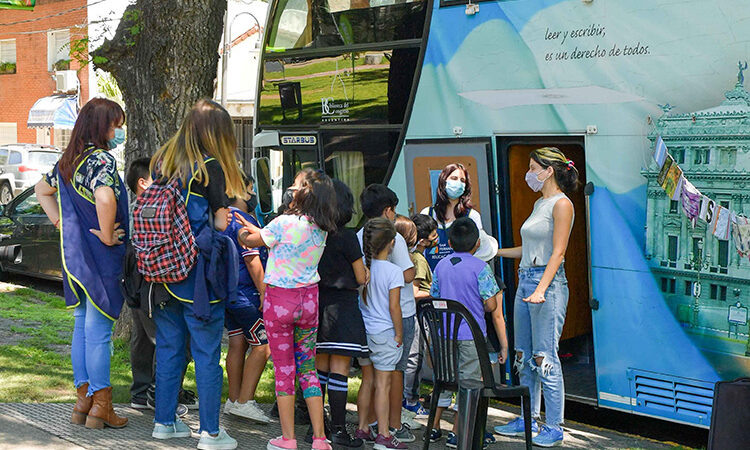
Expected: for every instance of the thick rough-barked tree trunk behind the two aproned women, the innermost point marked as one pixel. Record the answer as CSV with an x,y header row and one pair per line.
x,y
163,56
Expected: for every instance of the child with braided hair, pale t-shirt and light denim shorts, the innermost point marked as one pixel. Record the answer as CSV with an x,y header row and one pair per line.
x,y
381,311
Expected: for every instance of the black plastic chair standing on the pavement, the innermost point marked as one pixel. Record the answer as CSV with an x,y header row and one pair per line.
x,y
439,321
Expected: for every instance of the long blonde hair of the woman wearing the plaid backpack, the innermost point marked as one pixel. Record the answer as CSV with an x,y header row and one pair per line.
x,y
207,130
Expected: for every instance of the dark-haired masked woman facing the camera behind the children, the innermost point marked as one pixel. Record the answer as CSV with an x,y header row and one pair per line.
x,y
452,201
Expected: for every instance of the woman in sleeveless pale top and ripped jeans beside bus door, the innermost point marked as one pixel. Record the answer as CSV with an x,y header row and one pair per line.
x,y
542,295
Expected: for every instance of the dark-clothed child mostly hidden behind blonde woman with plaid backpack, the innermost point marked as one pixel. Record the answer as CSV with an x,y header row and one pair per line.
x,y
143,333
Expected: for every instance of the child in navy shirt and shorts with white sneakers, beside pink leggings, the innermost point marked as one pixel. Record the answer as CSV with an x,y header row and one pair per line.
x,y
244,323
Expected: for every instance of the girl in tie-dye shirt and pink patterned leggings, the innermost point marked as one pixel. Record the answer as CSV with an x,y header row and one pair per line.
x,y
296,240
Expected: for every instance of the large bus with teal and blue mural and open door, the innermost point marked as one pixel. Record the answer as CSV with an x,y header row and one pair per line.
x,y
380,91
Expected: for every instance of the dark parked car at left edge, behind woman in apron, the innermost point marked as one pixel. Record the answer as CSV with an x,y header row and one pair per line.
x,y
29,243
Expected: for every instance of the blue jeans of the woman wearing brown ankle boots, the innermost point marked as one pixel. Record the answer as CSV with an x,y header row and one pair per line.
x,y
91,349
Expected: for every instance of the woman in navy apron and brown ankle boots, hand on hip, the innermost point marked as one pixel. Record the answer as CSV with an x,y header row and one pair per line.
x,y
91,211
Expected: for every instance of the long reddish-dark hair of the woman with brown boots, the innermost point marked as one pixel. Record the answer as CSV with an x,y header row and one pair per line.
x,y
91,128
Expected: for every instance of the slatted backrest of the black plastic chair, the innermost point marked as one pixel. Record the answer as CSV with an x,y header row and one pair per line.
x,y
439,320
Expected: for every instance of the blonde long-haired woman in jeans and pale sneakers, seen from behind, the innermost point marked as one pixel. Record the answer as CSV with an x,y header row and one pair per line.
x,y
201,156
